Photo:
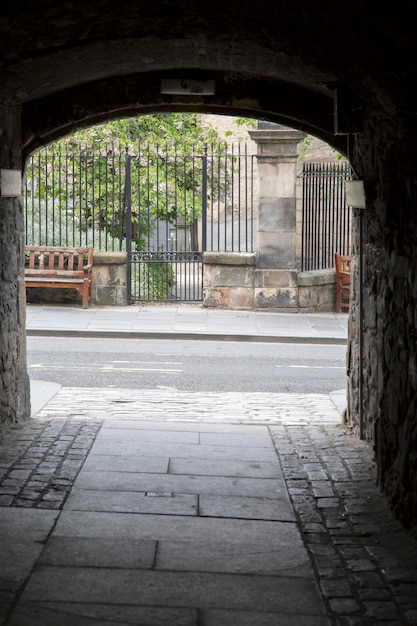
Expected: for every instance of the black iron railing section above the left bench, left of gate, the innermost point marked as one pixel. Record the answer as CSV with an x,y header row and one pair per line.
x,y
74,196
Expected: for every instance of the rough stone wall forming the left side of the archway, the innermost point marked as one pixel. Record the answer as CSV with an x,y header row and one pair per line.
x,y
14,381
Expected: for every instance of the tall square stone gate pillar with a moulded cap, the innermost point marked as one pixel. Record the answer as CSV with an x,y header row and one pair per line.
x,y
276,272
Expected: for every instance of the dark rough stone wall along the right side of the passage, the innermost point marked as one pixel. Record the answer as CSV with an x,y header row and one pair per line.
x,y
383,392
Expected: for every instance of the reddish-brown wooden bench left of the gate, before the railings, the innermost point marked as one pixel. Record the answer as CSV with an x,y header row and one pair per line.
x,y
60,268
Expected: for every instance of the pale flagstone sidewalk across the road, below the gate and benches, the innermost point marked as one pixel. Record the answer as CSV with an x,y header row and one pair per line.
x,y
179,321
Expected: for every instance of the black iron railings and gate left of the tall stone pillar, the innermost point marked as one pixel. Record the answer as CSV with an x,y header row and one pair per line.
x,y
164,205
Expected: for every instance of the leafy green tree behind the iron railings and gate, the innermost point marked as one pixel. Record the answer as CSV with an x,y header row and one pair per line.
x,y
83,176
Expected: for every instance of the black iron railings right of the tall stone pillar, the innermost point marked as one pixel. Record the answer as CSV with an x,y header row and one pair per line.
x,y
326,220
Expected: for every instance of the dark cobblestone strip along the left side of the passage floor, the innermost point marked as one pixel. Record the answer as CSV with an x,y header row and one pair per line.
x,y
39,462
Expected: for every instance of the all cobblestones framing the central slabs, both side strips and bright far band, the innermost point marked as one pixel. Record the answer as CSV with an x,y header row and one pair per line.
x,y
365,563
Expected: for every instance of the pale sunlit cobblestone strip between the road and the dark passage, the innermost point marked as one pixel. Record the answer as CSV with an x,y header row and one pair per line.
x,y
168,404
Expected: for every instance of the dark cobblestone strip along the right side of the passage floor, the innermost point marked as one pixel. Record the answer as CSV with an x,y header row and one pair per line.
x,y
366,564
